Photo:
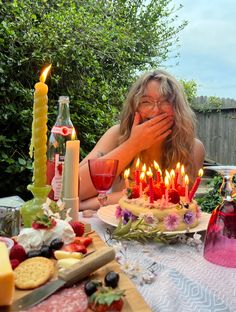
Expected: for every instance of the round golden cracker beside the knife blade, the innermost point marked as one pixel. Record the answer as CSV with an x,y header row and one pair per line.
x,y
33,272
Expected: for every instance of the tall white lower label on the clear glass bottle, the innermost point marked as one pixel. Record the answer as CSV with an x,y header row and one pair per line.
x,y
57,179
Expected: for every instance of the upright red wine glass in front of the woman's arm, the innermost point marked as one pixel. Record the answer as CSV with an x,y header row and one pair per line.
x,y
102,173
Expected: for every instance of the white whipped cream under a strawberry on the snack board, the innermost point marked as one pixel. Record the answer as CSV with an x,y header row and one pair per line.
x,y
32,239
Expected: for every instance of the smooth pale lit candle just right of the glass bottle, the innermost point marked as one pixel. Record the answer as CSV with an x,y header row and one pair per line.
x,y
71,176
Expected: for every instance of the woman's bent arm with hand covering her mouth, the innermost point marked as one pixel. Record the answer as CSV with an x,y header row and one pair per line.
x,y
142,137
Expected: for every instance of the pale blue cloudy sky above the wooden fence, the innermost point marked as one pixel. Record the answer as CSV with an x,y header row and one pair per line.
x,y
208,46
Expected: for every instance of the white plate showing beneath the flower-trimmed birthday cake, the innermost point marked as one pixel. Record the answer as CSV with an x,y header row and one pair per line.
x,y
107,215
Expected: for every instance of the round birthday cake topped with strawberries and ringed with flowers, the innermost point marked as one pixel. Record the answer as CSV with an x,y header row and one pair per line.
x,y
168,209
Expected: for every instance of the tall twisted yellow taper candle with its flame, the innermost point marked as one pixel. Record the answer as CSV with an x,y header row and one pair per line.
x,y
39,130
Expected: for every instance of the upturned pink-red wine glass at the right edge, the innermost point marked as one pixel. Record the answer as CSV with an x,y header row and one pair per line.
x,y
220,239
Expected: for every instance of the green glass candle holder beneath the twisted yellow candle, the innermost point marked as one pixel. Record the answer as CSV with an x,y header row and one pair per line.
x,y
34,207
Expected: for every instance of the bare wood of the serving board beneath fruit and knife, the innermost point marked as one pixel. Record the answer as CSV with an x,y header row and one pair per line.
x,y
133,301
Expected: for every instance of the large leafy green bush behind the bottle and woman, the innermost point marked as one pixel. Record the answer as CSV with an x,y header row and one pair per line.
x,y
96,49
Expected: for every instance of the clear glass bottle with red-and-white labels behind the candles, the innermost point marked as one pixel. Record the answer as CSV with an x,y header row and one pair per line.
x,y
60,133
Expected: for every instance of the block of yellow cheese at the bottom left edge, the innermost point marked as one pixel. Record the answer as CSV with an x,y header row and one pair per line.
x,y
7,287
